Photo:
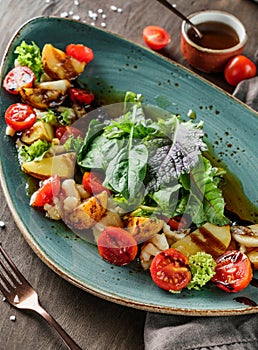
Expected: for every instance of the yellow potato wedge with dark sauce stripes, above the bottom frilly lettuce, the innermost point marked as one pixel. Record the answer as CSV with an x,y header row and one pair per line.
x,y
208,238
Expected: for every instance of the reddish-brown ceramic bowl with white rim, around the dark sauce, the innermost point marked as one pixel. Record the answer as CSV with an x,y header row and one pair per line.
x,y
206,59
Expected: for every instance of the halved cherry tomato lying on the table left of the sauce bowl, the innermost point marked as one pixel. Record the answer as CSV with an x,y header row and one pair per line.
x,y
156,37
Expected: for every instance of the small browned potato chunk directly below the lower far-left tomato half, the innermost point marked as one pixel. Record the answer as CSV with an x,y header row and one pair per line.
x,y
39,131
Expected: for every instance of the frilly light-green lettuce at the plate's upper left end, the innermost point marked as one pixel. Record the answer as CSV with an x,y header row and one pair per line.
x,y
29,55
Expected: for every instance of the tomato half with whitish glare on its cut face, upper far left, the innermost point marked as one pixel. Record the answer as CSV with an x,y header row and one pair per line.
x,y
17,78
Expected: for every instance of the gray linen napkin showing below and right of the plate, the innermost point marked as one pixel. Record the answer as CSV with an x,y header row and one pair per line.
x,y
175,332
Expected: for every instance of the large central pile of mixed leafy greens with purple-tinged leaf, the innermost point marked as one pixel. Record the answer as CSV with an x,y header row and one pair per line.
x,y
154,160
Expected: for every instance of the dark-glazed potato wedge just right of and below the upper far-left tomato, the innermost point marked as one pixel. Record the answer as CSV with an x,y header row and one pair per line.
x,y
45,95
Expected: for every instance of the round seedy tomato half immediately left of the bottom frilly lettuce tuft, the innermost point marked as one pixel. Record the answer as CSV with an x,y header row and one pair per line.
x,y
170,271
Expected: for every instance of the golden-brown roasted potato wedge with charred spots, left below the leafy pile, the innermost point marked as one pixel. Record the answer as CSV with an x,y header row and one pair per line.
x,y
89,212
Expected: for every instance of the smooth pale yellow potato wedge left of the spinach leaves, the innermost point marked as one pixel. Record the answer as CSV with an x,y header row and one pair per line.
x,y
61,165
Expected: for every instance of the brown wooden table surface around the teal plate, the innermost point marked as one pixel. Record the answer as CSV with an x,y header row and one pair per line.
x,y
94,323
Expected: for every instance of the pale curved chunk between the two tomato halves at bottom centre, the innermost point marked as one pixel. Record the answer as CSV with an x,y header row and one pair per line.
x,y
151,248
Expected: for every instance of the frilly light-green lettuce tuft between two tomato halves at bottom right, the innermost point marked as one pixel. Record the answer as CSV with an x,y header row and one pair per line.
x,y
202,266
